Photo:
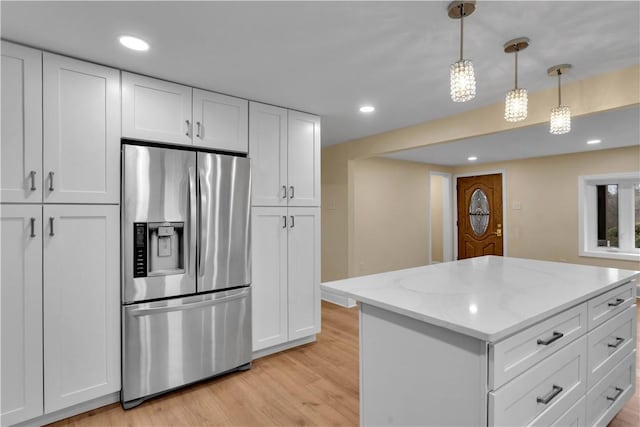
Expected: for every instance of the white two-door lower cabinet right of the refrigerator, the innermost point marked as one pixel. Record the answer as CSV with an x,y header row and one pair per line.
x,y
285,274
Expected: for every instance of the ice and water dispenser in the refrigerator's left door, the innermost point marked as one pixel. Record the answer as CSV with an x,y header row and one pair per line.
x,y
158,248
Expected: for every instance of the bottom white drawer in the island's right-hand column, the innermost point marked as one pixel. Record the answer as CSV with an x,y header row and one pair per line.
x,y
607,397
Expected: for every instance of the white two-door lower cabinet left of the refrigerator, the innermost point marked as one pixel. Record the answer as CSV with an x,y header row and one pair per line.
x,y
61,291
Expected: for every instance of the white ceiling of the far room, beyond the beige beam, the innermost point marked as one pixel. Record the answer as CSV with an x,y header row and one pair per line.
x,y
616,128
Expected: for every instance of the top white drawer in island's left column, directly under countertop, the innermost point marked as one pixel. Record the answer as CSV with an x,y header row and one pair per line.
x,y
514,355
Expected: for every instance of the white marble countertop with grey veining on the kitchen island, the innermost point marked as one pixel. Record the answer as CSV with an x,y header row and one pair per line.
x,y
488,298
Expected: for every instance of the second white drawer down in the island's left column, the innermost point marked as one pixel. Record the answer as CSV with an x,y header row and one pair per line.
x,y
546,390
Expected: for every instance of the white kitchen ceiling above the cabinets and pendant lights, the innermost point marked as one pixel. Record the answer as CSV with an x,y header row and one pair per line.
x,y
329,58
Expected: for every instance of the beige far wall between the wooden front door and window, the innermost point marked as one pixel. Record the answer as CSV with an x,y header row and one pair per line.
x,y
546,225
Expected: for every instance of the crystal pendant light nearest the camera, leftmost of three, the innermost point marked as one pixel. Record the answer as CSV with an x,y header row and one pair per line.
x,y
463,79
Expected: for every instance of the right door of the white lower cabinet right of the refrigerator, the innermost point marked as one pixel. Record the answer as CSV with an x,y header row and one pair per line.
x,y
304,272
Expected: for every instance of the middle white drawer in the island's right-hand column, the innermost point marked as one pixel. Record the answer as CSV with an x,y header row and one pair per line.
x,y
609,343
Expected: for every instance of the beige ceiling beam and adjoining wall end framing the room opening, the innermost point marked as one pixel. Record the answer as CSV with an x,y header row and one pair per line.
x,y
601,93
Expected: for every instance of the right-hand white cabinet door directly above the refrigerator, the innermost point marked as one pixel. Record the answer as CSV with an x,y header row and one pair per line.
x,y
221,122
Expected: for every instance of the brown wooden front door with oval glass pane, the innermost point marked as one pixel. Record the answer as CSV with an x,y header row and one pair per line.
x,y
479,215
